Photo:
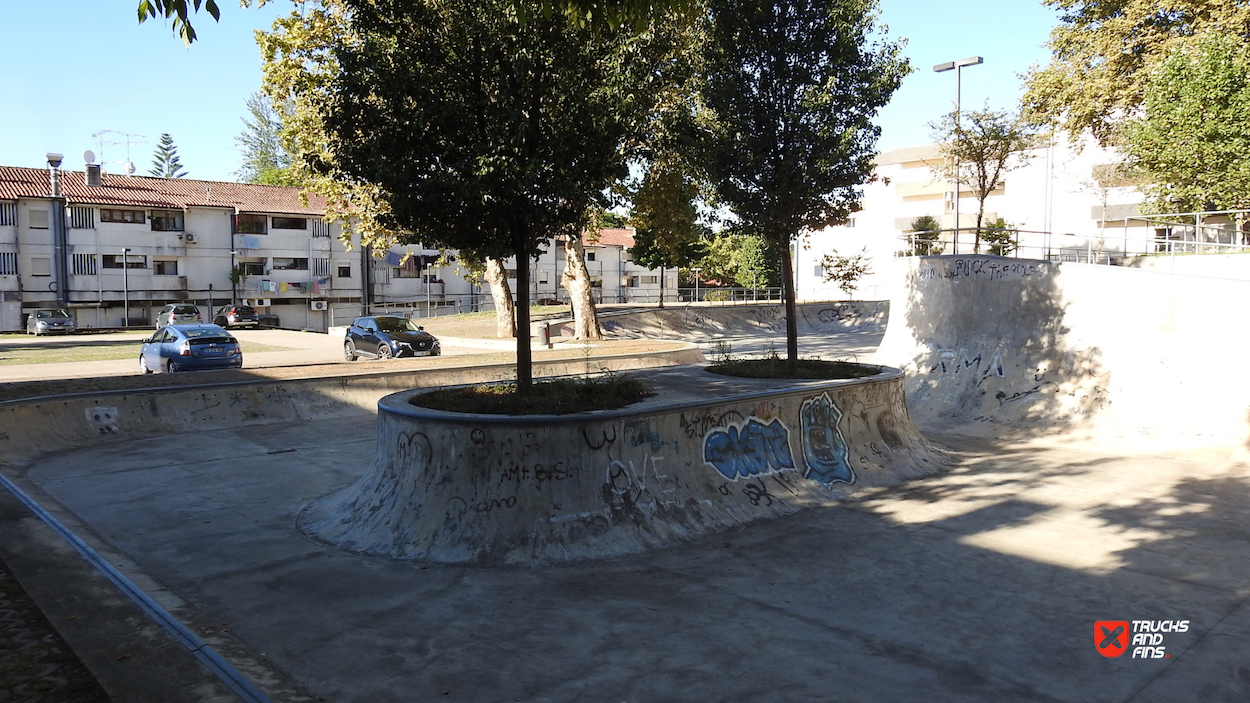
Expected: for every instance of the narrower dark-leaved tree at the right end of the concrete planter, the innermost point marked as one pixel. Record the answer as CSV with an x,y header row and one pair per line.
x,y
794,89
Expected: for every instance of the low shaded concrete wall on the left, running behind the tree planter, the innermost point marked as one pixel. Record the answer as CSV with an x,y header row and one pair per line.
x,y
39,427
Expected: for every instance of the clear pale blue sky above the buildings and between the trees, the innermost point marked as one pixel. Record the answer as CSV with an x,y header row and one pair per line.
x,y
79,67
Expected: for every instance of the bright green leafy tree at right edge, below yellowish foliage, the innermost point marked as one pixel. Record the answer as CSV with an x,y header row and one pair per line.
x,y
1192,141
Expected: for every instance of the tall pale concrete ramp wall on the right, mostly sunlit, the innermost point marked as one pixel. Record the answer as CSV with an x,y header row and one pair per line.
x,y
997,346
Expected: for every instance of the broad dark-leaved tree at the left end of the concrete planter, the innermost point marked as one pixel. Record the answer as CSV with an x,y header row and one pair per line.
x,y
463,126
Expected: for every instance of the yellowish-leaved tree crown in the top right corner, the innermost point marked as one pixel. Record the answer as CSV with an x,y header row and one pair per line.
x,y
1103,54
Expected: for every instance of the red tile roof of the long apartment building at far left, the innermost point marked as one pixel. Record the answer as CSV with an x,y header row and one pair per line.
x,y
148,192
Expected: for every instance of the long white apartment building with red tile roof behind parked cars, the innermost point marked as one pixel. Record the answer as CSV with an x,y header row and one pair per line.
x,y
103,246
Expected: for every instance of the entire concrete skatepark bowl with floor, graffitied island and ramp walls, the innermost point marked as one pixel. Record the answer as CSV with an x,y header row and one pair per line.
x,y
733,540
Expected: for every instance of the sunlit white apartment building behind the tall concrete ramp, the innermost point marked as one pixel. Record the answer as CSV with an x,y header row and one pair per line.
x,y
1067,203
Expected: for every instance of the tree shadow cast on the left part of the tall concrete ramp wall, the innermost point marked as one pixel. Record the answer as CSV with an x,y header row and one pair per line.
x,y
987,348
